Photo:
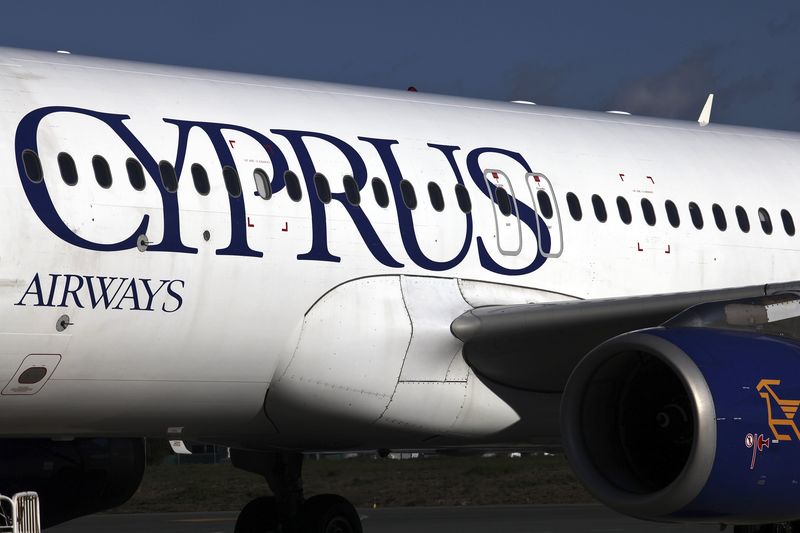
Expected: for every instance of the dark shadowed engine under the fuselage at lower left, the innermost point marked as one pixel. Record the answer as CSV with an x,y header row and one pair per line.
x,y
73,478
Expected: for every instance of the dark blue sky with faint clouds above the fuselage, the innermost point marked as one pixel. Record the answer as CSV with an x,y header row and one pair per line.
x,y
646,57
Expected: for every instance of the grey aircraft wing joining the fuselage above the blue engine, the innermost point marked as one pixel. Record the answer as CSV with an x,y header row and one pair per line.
x,y
536,346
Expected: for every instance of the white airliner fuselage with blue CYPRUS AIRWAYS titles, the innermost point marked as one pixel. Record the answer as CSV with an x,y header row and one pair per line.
x,y
326,326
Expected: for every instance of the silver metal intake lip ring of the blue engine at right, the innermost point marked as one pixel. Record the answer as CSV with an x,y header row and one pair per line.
x,y
691,480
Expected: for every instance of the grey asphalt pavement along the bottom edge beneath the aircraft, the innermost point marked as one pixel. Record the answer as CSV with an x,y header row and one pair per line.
x,y
494,519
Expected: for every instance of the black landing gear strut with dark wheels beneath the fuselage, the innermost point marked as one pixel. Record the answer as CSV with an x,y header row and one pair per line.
x,y
288,511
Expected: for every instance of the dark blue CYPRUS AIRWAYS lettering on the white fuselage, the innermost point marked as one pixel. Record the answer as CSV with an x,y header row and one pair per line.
x,y
137,295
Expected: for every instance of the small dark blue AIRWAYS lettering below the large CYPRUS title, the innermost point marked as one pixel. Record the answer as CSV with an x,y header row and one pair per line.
x,y
104,292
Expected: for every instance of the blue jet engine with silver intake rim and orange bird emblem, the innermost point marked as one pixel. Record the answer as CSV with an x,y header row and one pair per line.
x,y
688,424
